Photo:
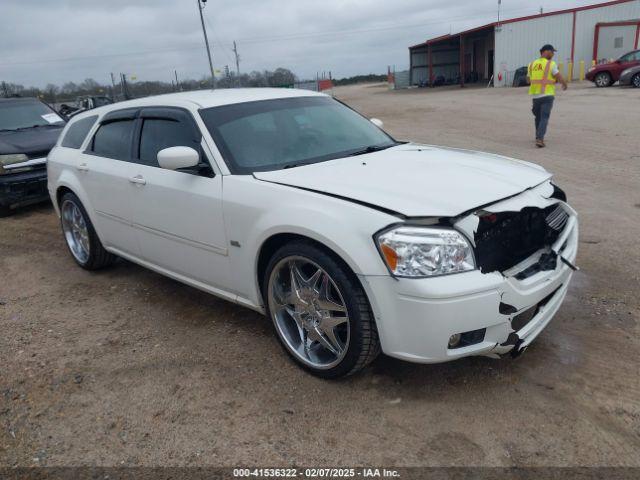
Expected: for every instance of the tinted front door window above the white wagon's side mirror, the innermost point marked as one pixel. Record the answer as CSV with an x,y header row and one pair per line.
x,y
158,134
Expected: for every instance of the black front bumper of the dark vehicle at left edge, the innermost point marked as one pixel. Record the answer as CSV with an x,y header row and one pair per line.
x,y
24,188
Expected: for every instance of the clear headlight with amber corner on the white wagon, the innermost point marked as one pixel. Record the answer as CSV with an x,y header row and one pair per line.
x,y
419,252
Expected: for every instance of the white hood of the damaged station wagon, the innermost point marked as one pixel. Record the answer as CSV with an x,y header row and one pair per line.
x,y
417,180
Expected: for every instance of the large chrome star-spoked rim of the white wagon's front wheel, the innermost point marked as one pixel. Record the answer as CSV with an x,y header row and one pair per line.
x,y
309,312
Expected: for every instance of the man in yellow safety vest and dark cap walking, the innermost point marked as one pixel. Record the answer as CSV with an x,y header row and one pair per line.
x,y
543,75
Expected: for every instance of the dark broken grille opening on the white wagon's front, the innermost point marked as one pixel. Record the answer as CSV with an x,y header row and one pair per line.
x,y
507,238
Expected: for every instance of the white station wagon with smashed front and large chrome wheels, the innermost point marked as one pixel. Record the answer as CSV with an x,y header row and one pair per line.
x,y
292,204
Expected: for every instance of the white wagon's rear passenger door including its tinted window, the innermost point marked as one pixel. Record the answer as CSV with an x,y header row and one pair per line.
x,y
107,173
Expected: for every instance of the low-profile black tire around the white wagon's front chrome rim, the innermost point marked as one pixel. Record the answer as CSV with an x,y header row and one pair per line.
x,y
364,345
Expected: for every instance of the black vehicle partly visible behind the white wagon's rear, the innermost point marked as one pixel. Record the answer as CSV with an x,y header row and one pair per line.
x,y
28,131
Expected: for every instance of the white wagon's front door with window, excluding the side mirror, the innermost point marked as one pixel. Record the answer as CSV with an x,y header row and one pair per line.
x,y
178,214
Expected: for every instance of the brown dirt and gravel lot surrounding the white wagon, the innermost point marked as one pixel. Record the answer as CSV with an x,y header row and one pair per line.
x,y
125,367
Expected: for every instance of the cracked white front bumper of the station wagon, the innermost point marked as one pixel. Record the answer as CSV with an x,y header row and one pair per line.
x,y
417,317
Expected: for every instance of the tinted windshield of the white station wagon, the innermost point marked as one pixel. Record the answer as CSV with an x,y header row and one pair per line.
x,y
283,133
